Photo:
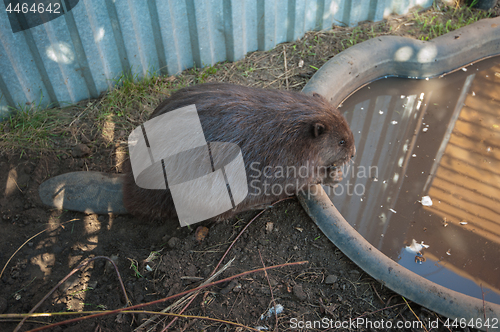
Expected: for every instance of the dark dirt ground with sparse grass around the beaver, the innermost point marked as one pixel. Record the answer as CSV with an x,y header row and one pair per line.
x,y
158,259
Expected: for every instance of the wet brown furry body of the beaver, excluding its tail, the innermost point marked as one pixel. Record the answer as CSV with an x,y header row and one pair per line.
x,y
288,140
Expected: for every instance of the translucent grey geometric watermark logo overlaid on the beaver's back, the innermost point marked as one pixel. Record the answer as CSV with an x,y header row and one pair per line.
x,y
205,178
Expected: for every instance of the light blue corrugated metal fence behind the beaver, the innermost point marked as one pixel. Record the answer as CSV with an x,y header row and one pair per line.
x,y
81,48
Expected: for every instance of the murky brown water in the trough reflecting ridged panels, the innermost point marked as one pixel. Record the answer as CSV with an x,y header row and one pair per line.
x,y
438,138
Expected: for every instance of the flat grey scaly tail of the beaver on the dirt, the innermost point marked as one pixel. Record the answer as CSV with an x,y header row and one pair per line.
x,y
90,192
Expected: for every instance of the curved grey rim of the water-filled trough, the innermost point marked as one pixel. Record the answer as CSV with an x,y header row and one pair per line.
x,y
392,56
